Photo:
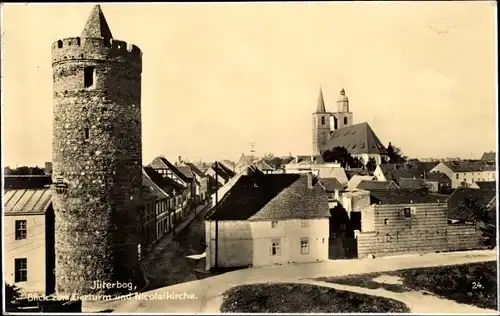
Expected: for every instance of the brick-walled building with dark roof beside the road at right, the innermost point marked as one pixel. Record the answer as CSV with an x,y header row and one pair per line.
x,y
410,222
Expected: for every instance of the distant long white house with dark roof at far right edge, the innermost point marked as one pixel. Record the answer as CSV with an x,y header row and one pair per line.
x,y
466,174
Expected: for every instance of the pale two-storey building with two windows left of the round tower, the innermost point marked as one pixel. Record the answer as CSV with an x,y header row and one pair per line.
x,y
29,253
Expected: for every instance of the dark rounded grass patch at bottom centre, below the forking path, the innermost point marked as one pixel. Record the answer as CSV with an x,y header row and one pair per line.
x,y
304,298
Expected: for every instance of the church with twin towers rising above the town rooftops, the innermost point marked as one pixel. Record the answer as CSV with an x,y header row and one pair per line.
x,y
337,129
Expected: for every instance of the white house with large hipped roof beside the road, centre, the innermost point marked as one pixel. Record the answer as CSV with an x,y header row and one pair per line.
x,y
269,219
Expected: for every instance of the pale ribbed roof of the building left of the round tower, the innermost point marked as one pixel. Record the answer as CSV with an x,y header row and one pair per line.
x,y
34,201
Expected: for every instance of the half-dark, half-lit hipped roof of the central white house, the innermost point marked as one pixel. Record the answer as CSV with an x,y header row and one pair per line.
x,y
271,197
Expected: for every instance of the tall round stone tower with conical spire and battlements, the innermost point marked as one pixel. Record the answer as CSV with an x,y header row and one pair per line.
x,y
97,165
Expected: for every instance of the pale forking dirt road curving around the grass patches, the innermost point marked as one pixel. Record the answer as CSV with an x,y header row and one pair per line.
x,y
206,295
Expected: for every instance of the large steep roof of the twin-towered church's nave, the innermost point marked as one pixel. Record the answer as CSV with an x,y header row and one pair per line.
x,y
357,139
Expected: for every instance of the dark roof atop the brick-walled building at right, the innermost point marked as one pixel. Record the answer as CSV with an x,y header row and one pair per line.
x,y
405,196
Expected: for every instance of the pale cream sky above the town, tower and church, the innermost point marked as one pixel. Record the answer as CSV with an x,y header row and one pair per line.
x,y
219,76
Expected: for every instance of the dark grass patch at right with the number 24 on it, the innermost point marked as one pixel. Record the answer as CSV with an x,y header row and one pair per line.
x,y
473,284
